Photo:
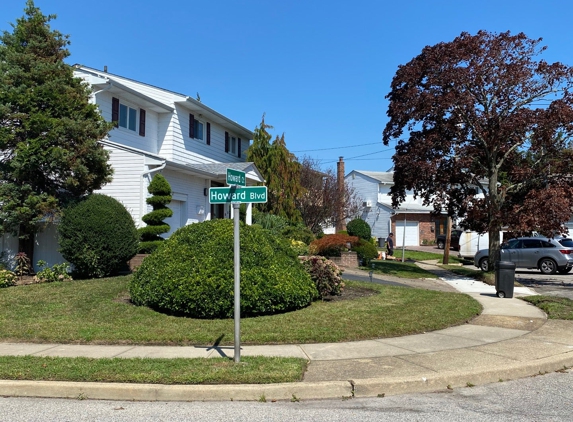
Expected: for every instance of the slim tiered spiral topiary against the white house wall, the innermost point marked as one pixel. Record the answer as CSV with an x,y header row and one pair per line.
x,y
150,237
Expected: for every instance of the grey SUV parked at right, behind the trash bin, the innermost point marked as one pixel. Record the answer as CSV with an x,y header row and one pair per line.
x,y
547,255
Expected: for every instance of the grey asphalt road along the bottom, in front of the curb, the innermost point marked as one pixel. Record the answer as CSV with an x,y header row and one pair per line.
x,y
541,398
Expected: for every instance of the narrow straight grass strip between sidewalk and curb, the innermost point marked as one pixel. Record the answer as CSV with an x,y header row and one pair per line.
x,y
251,370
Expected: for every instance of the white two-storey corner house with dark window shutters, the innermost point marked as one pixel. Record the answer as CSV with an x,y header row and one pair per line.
x,y
159,130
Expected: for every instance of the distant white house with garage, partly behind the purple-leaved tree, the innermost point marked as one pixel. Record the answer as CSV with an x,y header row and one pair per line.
x,y
412,223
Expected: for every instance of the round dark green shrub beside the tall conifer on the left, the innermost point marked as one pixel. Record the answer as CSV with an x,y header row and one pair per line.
x,y
98,236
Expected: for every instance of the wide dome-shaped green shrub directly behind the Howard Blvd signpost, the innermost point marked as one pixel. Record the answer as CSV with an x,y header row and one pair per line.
x,y
192,273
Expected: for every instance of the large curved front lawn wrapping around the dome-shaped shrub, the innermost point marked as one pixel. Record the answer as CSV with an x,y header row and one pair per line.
x,y
98,312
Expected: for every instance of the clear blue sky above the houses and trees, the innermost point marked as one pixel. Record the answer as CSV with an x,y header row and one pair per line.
x,y
319,69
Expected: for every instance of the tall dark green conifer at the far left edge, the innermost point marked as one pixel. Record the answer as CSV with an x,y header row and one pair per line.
x,y
49,131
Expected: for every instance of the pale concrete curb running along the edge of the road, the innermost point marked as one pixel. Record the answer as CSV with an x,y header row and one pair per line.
x,y
360,388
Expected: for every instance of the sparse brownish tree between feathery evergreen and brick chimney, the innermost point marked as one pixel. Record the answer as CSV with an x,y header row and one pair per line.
x,y
320,197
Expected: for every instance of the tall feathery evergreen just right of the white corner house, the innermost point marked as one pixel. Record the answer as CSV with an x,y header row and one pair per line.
x,y
281,171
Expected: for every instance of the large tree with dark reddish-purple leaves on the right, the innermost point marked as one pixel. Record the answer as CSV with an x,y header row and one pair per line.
x,y
487,133
